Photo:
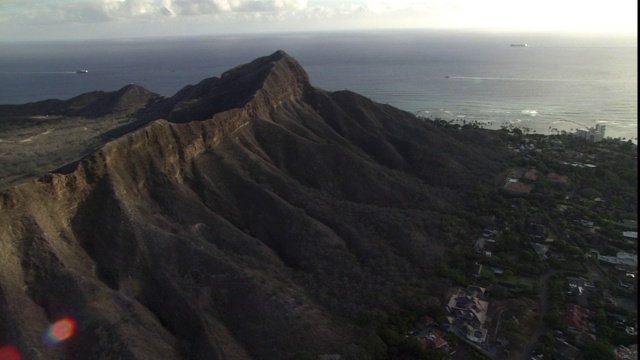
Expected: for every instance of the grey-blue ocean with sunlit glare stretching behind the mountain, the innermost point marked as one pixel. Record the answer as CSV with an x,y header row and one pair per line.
x,y
555,83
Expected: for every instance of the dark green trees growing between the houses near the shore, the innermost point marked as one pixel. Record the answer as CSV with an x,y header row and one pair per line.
x,y
580,217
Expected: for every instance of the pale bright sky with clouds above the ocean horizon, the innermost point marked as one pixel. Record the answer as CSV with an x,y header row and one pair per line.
x,y
34,20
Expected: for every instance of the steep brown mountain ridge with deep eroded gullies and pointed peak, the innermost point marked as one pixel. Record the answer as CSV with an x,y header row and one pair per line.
x,y
258,219
